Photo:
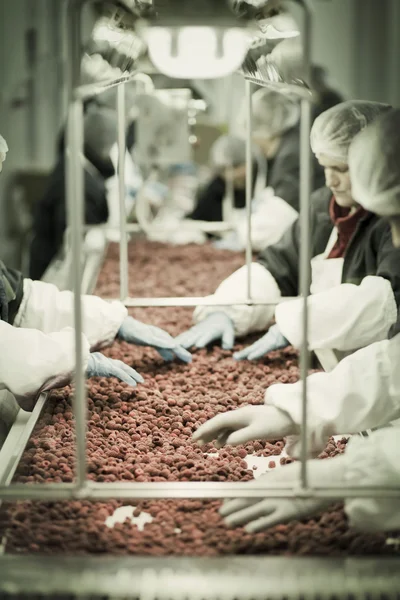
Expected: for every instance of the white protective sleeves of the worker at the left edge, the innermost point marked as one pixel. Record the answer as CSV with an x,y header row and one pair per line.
x,y
40,345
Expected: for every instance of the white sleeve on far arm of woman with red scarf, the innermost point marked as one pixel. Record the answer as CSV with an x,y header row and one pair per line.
x,y
246,319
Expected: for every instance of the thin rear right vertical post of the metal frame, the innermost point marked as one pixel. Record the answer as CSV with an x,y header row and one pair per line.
x,y
249,187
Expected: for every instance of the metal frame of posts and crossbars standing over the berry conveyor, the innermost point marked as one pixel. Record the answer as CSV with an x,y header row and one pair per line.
x,y
82,488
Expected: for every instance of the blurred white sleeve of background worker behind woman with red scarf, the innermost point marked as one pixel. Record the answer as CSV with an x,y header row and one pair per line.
x,y
269,222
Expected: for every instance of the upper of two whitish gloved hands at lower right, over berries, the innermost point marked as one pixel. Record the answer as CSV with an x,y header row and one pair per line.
x,y
245,424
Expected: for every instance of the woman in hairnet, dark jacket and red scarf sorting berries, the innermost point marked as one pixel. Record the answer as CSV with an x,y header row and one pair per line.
x,y
355,268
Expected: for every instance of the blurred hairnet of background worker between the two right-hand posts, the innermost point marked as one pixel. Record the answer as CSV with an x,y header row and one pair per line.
x,y
273,113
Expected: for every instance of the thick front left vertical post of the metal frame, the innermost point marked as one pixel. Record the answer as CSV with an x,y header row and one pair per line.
x,y
75,211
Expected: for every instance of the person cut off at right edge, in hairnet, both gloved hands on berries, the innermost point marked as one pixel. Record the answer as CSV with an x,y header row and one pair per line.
x,y
362,392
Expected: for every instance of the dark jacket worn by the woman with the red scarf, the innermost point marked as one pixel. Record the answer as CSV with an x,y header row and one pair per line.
x,y
370,251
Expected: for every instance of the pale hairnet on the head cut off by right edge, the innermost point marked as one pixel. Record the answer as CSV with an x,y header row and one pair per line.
x,y
374,161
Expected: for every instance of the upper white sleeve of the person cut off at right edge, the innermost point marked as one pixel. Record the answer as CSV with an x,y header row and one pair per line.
x,y
362,392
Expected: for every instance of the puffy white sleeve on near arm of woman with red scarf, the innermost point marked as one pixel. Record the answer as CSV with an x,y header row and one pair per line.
x,y
346,317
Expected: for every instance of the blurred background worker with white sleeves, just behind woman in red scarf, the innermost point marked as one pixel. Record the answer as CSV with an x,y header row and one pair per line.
x,y
275,131
